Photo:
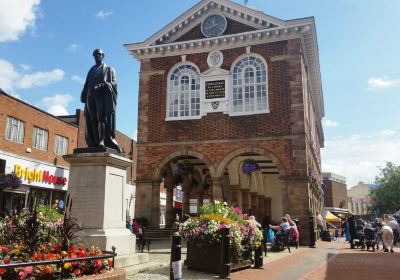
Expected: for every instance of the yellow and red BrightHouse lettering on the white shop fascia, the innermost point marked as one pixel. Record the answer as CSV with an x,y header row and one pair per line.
x,y
39,176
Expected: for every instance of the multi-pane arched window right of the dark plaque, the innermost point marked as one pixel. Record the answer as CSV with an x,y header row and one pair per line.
x,y
249,86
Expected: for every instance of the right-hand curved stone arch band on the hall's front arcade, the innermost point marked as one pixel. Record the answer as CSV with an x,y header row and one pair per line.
x,y
249,149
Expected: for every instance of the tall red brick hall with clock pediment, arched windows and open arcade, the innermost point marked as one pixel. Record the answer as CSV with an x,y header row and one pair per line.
x,y
220,85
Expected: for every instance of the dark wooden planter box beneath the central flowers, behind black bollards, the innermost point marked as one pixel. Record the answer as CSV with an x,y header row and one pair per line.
x,y
202,257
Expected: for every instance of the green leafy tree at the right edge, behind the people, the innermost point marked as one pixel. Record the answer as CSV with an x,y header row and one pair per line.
x,y
386,197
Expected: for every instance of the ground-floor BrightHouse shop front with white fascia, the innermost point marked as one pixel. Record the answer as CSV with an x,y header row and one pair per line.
x,y
47,183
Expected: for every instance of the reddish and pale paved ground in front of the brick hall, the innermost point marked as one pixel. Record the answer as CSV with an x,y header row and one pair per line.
x,y
330,260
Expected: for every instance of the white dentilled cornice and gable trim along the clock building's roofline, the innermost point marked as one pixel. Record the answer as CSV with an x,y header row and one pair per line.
x,y
267,29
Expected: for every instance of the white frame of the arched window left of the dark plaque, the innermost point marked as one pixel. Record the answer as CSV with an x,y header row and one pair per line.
x,y
176,93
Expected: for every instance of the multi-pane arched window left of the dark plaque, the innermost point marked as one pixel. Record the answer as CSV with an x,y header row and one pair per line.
x,y
183,92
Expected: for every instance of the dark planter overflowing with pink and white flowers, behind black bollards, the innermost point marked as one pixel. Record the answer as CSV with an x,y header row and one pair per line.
x,y
204,237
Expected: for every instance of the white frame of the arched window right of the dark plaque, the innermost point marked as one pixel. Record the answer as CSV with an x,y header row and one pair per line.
x,y
259,87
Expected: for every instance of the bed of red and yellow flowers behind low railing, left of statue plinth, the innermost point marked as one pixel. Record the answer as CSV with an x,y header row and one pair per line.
x,y
30,238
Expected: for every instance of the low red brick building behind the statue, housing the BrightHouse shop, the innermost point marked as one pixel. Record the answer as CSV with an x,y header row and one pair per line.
x,y
32,142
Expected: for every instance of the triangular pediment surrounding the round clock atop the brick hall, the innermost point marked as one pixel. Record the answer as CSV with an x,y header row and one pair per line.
x,y
187,26
